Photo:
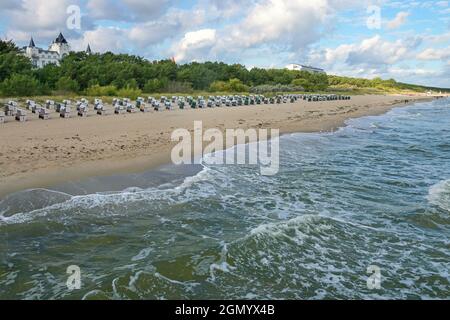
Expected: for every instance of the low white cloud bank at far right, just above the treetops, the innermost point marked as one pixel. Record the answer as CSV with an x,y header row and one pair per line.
x,y
378,57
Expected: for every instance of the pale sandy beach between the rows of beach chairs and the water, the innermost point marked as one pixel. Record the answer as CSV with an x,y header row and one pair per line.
x,y
41,153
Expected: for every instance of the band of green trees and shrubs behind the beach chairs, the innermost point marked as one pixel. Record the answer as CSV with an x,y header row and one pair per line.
x,y
110,74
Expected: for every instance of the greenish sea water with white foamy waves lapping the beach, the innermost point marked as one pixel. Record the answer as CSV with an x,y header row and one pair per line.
x,y
374,193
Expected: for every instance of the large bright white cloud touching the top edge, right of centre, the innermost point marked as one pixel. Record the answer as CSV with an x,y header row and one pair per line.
x,y
285,25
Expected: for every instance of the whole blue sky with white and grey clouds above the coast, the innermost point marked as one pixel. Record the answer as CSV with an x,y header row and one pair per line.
x,y
405,40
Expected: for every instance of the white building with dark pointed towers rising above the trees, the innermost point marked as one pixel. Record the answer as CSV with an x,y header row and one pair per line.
x,y
57,50
